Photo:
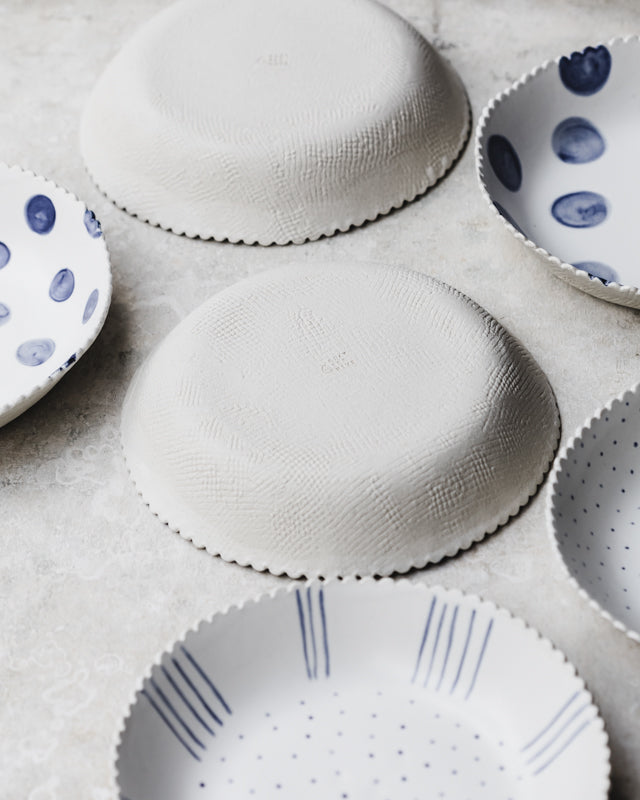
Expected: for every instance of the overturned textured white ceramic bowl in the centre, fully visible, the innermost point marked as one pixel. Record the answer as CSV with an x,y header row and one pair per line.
x,y
338,419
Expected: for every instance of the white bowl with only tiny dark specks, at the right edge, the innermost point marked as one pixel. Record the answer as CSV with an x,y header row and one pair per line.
x,y
593,511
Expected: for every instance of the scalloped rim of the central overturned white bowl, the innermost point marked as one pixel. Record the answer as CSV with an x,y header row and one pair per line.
x,y
404,566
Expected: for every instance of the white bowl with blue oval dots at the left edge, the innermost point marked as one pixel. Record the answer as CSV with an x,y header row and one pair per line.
x,y
55,286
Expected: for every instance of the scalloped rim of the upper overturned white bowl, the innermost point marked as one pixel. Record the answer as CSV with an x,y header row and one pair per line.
x,y
433,176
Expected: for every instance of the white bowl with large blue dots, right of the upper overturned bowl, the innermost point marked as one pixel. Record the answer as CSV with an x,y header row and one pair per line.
x,y
557,157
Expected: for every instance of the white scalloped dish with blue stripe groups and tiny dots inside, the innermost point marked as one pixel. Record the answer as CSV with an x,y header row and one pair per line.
x,y
359,690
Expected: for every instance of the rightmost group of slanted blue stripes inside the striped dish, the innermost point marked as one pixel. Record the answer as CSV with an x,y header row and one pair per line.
x,y
556,735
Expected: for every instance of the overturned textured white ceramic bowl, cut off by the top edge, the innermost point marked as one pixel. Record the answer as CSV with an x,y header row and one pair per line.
x,y
260,121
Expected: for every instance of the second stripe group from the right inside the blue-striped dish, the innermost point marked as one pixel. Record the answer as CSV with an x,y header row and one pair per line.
x,y
456,643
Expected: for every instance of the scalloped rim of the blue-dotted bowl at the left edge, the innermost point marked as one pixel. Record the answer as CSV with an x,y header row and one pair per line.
x,y
24,401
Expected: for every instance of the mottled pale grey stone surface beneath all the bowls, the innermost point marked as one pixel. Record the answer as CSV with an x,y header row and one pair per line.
x,y
92,585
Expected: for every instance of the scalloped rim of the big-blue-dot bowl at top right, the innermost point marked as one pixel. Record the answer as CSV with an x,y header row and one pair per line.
x,y
621,294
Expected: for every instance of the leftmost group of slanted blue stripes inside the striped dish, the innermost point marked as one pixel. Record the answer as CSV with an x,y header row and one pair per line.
x,y
182,695
